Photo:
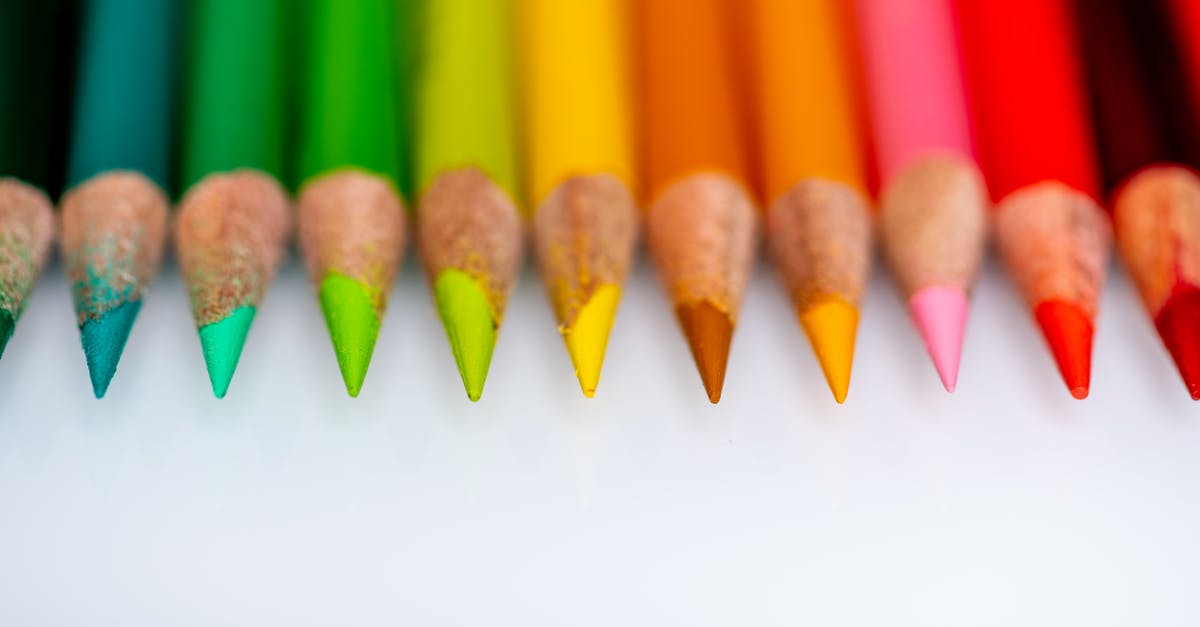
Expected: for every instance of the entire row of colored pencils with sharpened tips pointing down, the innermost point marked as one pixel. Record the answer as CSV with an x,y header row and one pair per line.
x,y
1022,118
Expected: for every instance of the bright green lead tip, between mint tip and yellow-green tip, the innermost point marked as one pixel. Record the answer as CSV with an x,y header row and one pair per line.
x,y
353,323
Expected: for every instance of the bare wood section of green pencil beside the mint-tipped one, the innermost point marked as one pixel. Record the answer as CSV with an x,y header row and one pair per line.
x,y
352,223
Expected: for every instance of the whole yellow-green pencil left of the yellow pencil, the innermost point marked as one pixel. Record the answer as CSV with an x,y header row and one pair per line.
x,y
469,226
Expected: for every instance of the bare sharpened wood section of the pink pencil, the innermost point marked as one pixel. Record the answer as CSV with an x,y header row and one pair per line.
x,y
933,223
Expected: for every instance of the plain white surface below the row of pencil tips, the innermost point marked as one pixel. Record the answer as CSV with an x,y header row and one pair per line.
x,y
290,504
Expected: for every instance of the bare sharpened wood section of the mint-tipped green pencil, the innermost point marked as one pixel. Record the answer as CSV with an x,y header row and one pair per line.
x,y
230,237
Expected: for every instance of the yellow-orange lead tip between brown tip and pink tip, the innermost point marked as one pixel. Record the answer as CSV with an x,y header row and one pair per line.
x,y
832,326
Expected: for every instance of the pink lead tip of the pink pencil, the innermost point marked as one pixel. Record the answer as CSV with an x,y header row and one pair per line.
x,y
941,318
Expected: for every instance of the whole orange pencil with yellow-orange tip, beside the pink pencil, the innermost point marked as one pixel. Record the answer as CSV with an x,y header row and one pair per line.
x,y
819,223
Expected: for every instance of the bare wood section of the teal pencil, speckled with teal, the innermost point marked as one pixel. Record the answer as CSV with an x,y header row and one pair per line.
x,y
115,230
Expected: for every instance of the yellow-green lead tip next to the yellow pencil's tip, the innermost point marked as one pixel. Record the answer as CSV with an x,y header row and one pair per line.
x,y
469,321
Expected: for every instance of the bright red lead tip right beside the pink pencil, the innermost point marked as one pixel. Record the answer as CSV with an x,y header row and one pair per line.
x,y
1069,331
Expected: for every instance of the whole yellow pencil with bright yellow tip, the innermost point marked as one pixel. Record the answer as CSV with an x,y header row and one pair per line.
x,y
579,126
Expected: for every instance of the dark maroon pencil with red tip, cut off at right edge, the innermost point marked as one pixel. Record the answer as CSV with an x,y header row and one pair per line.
x,y
1150,139
